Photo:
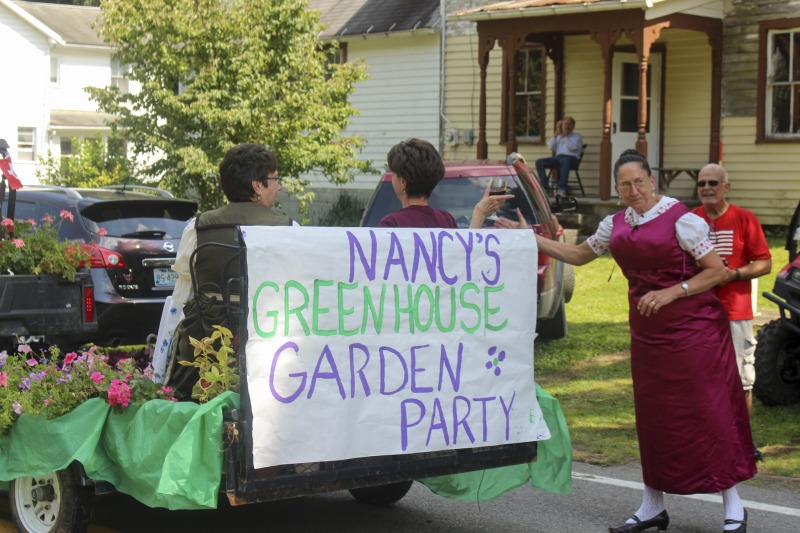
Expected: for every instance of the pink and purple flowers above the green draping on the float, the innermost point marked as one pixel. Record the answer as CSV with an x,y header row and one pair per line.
x,y
34,385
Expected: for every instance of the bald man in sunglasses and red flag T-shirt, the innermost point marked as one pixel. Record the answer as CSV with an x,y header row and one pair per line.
x,y
739,240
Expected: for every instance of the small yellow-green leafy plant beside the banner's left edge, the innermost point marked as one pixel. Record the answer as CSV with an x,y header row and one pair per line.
x,y
217,368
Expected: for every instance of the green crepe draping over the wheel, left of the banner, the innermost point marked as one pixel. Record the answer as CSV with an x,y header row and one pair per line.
x,y
164,454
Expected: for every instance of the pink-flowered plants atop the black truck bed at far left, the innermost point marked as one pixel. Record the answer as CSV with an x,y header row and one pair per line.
x,y
28,247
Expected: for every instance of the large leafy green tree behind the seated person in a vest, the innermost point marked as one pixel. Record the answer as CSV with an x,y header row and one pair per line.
x,y
216,73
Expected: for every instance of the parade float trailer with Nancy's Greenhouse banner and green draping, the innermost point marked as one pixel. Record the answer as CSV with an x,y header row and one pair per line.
x,y
367,412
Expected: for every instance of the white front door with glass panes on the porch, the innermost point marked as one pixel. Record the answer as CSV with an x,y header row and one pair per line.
x,y
625,106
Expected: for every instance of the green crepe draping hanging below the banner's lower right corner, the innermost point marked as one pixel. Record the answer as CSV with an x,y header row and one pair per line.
x,y
552,471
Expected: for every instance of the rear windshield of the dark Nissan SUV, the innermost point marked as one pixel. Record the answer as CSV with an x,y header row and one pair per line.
x,y
143,220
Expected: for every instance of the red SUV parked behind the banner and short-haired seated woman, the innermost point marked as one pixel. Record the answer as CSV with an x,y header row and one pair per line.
x,y
463,185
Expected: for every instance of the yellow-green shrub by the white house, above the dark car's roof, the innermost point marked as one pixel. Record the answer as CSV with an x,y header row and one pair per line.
x,y
91,165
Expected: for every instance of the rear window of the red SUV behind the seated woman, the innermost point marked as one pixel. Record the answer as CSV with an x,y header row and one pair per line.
x,y
457,196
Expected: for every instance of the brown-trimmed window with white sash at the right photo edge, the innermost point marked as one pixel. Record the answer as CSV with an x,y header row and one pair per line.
x,y
782,94
